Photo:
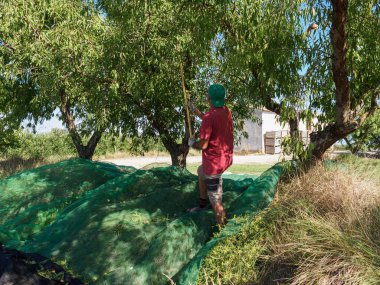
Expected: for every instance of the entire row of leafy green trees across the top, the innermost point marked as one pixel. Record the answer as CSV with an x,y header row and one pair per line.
x,y
118,65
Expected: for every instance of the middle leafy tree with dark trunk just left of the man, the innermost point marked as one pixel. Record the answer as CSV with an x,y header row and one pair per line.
x,y
151,42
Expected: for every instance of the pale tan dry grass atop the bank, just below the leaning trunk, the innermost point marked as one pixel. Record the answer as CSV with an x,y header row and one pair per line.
x,y
337,193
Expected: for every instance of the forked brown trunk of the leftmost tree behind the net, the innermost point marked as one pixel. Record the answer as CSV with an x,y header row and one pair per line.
x,y
84,151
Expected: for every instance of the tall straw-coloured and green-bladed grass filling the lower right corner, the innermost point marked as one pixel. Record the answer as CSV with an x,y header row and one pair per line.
x,y
332,232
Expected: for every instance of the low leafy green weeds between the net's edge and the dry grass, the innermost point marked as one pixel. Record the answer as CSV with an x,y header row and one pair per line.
x,y
239,259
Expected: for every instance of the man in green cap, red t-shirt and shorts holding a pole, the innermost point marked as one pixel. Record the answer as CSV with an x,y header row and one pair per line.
x,y
216,143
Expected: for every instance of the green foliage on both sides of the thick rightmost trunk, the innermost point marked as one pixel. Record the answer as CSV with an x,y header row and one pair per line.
x,y
363,55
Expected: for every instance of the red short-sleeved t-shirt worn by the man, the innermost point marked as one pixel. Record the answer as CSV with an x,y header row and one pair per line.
x,y
217,128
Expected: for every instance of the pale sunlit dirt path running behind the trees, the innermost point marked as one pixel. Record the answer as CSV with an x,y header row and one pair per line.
x,y
141,161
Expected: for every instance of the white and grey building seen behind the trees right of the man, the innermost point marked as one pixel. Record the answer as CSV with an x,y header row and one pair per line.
x,y
267,121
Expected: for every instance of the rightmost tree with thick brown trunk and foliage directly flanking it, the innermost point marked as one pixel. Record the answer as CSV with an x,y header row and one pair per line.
x,y
345,86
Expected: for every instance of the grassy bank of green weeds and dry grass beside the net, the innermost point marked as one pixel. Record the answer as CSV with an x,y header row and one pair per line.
x,y
322,228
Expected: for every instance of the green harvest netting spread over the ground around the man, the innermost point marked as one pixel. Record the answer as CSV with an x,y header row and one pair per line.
x,y
121,225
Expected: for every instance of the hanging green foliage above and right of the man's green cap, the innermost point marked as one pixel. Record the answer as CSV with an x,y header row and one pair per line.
x,y
258,54
